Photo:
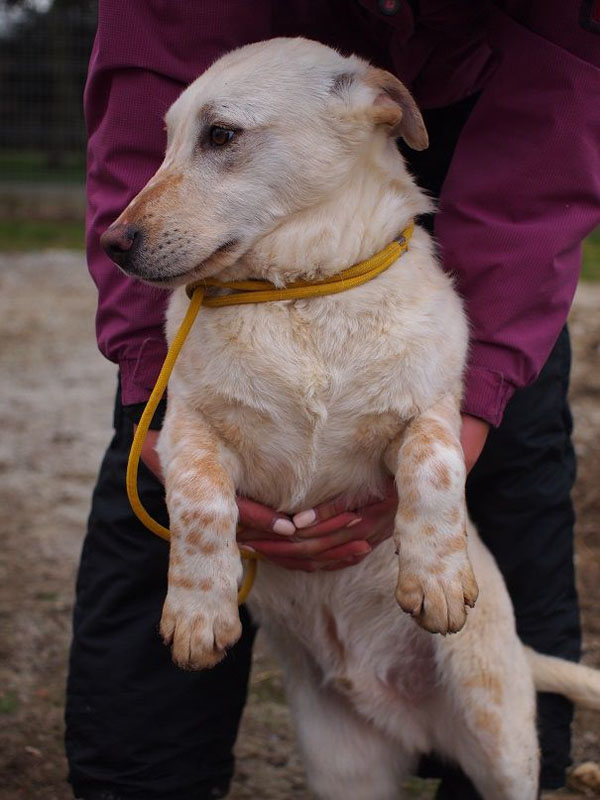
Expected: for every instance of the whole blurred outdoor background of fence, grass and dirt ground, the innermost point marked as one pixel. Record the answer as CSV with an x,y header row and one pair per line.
x,y
56,396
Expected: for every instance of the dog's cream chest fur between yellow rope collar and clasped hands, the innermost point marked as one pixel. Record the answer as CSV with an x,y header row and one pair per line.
x,y
307,395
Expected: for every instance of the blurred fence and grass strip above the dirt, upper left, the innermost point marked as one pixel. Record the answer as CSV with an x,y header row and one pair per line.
x,y
44,50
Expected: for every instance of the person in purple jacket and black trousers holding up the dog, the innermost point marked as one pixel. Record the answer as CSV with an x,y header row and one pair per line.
x,y
513,159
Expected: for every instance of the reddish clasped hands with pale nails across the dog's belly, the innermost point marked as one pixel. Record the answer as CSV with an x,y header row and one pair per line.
x,y
325,537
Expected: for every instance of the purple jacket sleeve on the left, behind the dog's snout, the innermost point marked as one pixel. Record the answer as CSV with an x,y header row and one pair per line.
x,y
144,54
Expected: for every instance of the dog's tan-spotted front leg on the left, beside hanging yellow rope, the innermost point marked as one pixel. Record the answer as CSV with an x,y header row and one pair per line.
x,y
200,616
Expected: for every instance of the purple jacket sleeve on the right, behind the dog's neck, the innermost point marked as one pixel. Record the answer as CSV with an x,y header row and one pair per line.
x,y
522,192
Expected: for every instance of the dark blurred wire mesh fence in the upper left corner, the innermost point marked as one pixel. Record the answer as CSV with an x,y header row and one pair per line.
x,y
44,52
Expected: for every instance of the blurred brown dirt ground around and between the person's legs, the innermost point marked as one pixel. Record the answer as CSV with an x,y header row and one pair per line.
x,y
55,413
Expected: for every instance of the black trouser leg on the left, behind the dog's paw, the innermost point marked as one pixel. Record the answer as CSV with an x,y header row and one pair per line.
x,y
135,723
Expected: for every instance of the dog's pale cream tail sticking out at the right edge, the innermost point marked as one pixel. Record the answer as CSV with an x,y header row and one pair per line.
x,y
579,683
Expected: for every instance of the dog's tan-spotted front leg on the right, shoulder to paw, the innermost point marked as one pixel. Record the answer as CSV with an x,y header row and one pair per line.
x,y
435,580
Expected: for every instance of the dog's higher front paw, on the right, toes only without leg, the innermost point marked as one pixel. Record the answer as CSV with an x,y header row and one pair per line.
x,y
437,599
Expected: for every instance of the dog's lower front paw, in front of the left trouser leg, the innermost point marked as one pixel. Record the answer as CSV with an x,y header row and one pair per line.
x,y
199,633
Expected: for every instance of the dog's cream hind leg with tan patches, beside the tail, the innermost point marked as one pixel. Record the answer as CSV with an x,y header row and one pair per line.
x,y
486,718
